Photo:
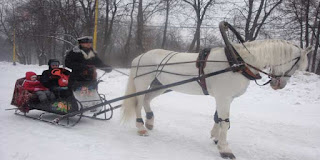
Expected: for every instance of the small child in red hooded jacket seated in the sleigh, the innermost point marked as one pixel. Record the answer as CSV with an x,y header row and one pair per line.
x,y
34,86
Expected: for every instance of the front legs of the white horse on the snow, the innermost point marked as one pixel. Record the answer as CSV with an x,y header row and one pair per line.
x,y
223,111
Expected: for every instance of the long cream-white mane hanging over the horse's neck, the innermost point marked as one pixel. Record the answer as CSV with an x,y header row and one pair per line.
x,y
268,53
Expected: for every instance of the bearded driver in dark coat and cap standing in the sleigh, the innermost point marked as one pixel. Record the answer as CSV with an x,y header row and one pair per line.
x,y
83,60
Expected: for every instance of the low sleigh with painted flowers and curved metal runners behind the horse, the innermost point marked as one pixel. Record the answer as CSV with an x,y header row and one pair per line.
x,y
82,95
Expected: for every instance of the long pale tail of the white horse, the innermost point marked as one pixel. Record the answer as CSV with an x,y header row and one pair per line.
x,y
129,104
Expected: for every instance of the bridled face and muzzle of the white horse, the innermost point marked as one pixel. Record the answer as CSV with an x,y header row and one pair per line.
x,y
281,78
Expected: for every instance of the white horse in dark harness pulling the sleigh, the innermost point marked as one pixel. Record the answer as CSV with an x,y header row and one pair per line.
x,y
282,57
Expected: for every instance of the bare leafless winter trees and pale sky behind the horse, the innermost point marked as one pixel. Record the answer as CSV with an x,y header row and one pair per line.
x,y
39,30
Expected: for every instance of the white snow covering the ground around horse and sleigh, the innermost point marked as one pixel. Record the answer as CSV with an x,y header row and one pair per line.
x,y
265,124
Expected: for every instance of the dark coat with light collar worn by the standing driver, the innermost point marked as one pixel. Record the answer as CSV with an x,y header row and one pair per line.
x,y
81,61
